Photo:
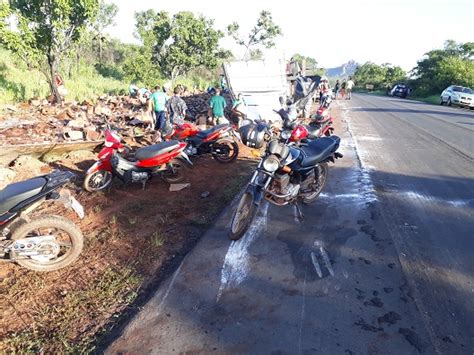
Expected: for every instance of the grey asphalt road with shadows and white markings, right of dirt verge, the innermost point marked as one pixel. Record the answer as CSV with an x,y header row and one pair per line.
x,y
382,262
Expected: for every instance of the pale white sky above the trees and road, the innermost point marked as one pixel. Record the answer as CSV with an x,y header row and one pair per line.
x,y
333,32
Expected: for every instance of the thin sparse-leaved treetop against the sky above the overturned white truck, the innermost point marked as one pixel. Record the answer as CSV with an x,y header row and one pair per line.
x,y
262,34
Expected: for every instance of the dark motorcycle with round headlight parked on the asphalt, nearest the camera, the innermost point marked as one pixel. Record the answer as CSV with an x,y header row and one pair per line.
x,y
286,174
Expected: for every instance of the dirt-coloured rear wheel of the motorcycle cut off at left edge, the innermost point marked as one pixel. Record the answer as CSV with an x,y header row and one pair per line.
x,y
63,251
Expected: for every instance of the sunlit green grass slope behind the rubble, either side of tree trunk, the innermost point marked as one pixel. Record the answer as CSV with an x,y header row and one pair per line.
x,y
18,83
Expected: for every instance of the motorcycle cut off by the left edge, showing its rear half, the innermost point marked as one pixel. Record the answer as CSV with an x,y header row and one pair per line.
x,y
43,242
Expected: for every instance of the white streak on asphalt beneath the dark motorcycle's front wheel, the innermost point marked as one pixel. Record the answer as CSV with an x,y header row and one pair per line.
x,y
236,262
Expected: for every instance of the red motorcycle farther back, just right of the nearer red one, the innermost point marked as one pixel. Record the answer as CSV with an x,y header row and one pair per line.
x,y
217,140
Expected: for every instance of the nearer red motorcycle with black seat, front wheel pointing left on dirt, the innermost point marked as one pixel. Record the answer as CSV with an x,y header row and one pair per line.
x,y
167,160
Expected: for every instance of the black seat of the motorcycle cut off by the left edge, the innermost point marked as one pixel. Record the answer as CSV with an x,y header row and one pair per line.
x,y
18,192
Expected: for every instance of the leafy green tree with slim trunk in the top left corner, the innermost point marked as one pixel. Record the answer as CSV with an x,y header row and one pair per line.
x,y
41,32
